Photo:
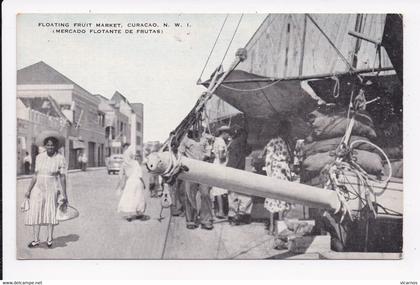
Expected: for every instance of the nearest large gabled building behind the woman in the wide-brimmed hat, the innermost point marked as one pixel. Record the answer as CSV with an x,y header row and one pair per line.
x,y
80,107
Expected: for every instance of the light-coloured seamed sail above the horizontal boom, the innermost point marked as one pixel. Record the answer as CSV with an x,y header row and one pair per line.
x,y
288,45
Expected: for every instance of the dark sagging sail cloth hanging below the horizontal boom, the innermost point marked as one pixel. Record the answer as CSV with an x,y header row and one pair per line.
x,y
264,104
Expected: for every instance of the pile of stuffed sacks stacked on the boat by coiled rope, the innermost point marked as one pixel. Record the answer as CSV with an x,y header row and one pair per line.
x,y
327,133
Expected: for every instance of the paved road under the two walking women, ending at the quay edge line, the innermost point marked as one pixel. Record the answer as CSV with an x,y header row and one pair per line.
x,y
99,232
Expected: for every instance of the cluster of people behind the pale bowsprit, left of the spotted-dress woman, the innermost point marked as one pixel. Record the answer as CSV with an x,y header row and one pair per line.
x,y
202,204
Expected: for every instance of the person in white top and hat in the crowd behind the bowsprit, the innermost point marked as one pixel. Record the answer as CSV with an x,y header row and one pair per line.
x,y
220,153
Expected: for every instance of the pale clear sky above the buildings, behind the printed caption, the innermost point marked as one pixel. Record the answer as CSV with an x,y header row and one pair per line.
x,y
158,70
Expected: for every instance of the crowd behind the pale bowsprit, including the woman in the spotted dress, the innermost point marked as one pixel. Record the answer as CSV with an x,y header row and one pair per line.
x,y
229,148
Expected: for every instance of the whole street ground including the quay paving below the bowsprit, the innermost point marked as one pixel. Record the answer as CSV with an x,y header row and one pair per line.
x,y
101,233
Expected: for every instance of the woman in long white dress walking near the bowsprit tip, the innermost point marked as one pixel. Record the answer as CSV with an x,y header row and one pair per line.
x,y
133,201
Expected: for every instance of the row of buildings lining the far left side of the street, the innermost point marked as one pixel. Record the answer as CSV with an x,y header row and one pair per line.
x,y
92,124
